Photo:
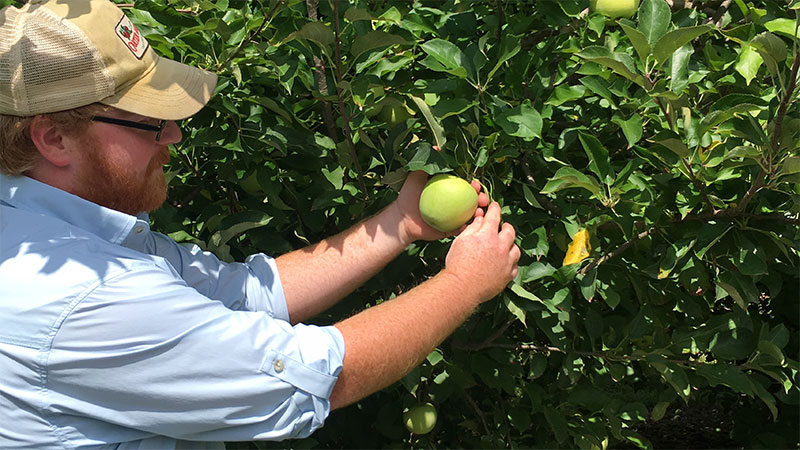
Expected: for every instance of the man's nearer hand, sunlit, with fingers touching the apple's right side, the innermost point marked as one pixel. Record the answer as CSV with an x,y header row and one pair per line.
x,y
484,256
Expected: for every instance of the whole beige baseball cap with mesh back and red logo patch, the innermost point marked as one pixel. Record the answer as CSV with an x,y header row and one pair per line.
x,y
62,54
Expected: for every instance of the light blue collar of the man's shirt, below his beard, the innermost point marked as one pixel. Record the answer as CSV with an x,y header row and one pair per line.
x,y
30,195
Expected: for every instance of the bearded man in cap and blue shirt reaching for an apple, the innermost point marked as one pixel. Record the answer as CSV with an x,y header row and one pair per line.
x,y
114,335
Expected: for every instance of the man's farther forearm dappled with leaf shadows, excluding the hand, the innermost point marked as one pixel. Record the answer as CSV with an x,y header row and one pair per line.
x,y
316,277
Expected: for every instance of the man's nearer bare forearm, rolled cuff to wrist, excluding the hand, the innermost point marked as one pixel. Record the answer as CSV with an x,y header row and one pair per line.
x,y
384,342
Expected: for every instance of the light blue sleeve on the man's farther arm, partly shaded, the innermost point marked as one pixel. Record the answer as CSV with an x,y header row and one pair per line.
x,y
253,285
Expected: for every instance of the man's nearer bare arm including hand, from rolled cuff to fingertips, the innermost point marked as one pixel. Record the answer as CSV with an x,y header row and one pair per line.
x,y
385,342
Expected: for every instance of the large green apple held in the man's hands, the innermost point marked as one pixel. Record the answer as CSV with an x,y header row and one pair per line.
x,y
447,202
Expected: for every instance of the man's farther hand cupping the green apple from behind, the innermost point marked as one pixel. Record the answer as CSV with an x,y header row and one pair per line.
x,y
411,225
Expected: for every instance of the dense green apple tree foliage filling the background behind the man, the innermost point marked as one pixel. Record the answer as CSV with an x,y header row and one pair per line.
x,y
673,138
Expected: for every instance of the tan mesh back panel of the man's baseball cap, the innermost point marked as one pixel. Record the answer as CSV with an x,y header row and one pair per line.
x,y
62,70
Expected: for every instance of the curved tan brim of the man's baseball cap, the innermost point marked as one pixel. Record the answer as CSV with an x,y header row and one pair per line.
x,y
170,91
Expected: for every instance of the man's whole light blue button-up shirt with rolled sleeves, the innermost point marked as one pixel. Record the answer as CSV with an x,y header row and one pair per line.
x,y
113,334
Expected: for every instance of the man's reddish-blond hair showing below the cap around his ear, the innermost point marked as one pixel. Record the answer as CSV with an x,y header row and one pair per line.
x,y
18,154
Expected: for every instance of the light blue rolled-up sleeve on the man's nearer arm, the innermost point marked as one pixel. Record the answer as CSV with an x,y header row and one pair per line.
x,y
145,351
